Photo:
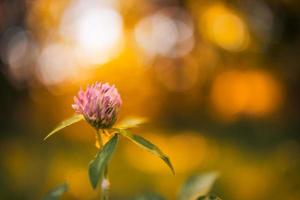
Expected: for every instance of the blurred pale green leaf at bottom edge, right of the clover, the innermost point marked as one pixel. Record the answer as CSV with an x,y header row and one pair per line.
x,y
197,186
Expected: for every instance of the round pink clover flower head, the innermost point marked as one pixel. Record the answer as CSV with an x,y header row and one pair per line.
x,y
99,104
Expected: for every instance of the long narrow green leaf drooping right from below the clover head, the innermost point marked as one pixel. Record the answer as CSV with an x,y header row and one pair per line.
x,y
145,144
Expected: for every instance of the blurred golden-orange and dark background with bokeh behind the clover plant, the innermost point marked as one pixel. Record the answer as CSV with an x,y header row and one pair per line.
x,y
218,80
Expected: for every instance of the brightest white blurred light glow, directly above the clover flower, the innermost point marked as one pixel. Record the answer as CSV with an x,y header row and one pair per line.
x,y
95,29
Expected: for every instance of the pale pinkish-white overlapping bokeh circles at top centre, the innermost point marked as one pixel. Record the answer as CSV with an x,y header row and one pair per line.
x,y
165,33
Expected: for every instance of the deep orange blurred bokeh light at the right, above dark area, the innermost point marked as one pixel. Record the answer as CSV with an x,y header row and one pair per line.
x,y
254,93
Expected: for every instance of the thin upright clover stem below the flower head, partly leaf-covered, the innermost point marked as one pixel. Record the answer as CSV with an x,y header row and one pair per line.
x,y
105,181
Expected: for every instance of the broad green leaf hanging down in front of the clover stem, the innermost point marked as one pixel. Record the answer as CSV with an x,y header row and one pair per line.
x,y
97,166
